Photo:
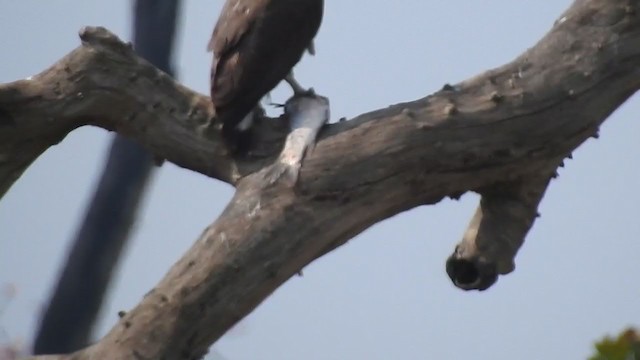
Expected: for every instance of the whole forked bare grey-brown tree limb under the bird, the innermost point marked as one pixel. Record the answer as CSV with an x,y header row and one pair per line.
x,y
502,134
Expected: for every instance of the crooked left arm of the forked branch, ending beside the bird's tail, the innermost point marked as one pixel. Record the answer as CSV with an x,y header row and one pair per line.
x,y
104,83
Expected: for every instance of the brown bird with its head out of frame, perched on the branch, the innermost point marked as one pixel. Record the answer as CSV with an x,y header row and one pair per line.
x,y
256,44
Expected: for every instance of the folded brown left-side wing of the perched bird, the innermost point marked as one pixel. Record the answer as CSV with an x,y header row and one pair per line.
x,y
236,20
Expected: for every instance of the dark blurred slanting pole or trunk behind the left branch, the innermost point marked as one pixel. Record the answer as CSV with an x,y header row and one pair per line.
x,y
68,321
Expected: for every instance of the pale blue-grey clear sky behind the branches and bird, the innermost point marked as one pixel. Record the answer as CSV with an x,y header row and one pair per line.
x,y
385,294
